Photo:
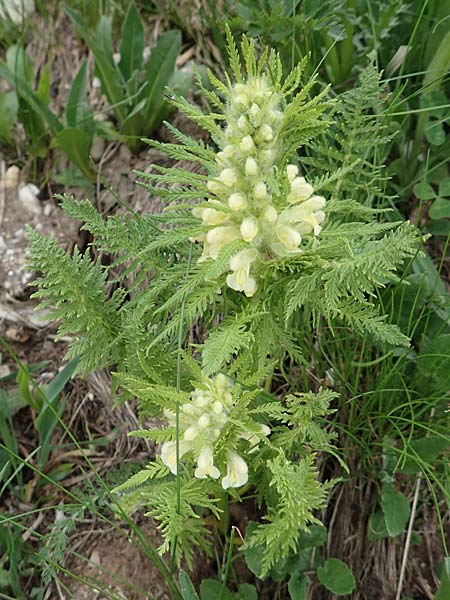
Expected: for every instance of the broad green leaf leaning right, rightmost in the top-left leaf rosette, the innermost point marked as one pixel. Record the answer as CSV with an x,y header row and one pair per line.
x,y
159,69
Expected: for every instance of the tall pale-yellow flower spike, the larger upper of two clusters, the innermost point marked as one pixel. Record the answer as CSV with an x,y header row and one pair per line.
x,y
251,199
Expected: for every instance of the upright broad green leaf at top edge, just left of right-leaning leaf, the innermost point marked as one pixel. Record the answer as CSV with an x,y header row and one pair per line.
x,y
132,46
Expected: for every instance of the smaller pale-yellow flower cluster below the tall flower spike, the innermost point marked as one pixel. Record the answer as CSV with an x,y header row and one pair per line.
x,y
201,421
